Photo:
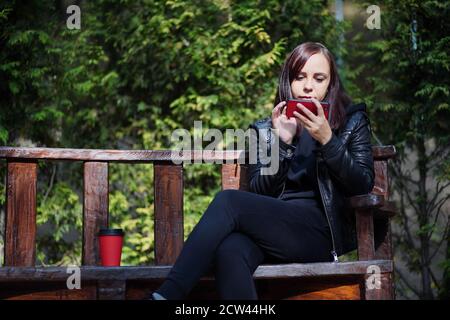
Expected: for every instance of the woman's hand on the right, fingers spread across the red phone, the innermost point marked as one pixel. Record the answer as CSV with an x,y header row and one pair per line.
x,y
317,126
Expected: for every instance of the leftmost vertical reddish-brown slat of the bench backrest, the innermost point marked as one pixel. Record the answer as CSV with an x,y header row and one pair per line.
x,y
20,238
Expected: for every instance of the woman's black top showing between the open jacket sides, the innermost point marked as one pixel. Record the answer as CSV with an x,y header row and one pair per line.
x,y
301,180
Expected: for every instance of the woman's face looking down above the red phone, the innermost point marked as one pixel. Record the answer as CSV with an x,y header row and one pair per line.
x,y
313,79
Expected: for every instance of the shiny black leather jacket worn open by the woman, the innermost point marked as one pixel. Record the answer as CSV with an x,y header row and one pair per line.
x,y
344,168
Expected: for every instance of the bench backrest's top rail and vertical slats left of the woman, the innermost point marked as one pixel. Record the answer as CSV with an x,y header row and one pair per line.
x,y
168,187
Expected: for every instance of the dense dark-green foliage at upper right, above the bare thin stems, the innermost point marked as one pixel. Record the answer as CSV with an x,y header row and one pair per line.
x,y
408,81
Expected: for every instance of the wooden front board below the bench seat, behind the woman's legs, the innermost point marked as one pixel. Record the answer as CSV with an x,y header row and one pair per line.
x,y
341,288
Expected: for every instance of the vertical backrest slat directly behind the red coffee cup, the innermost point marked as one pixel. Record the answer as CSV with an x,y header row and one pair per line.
x,y
95,208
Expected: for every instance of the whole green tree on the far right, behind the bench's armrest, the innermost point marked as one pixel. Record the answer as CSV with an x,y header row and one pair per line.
x,y
408,93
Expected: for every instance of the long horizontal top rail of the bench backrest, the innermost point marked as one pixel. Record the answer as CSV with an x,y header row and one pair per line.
x,y
118,155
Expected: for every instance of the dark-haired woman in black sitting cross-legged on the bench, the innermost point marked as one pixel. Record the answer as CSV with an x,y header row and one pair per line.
x,y
299,213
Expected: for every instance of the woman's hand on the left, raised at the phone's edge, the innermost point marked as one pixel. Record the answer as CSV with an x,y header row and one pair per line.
x,y
287,128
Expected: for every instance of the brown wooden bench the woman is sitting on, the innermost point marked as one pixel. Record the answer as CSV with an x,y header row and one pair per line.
x,y
21,279
